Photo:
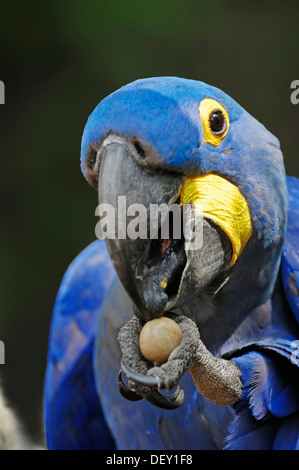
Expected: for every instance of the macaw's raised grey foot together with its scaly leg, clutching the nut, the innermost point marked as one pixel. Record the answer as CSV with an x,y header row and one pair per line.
x,y
216,378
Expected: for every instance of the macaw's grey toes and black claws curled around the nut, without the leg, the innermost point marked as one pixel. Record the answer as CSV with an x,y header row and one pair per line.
x,y
146,378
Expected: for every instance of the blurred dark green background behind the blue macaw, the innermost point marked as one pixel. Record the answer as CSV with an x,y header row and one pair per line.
x,y
58,60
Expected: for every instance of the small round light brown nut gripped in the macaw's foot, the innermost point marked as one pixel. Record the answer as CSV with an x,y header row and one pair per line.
x,y
158,338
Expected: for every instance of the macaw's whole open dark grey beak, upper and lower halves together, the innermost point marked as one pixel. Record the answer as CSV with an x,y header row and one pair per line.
x,y
145,237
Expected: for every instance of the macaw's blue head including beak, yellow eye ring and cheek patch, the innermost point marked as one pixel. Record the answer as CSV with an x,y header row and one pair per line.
x,y
176,142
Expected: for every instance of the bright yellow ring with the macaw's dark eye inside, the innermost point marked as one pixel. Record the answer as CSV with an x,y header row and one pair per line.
x,y
215,121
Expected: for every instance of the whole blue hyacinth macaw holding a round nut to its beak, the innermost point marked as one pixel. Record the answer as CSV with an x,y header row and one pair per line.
x,y
236,297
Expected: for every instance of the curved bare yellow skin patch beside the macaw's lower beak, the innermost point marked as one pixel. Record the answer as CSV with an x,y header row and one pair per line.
x,y
221,201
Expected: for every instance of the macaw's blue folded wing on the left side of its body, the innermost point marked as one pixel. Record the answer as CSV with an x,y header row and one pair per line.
x,y
73,414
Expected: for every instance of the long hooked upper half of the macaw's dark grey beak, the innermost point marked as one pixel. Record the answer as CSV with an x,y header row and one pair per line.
x,y
135,193
